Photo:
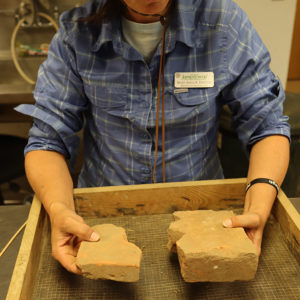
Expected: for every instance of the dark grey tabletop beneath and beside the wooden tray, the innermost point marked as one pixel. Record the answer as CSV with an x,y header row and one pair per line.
x,y
11,218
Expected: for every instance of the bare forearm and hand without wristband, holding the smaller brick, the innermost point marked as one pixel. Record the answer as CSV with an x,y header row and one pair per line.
x,y
49,176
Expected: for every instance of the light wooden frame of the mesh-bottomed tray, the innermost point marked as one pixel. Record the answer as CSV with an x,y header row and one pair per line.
x,y
141,200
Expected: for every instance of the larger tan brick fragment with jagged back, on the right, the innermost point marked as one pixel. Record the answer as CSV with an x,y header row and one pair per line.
x,y
209,252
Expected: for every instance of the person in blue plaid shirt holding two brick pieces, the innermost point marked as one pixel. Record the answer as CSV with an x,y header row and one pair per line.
x,y
122,70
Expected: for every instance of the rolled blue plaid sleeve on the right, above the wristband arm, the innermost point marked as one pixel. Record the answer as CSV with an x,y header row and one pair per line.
x,y
255,95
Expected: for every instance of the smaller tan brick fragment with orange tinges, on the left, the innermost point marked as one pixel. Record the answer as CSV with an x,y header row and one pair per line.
x,y
112,257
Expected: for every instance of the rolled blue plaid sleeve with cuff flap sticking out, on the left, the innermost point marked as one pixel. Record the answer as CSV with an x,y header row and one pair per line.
x,y
60,101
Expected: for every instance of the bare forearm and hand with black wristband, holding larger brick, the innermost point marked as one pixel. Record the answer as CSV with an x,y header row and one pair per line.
x,y
269,158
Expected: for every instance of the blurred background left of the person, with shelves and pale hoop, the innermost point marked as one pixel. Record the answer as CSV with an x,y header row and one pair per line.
x,y
27,27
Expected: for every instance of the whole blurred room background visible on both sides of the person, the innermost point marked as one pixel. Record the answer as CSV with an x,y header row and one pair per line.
x,y
27,27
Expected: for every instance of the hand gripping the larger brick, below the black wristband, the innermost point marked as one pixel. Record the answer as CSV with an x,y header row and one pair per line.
x,y
253,225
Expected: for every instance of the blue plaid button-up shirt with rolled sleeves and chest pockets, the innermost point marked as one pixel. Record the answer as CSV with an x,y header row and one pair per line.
x,y
93,79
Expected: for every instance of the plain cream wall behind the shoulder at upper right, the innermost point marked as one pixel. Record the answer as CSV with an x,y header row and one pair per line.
x,y
274,21
